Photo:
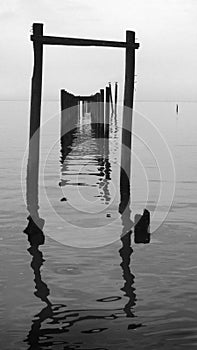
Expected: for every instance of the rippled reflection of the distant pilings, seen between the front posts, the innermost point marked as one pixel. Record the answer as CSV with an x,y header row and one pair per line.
x,y
85,159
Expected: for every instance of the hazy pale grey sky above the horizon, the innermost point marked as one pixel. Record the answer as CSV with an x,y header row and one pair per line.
x,y
166,63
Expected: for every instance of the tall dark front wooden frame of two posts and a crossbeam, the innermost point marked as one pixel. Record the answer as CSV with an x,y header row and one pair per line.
x,y
39,40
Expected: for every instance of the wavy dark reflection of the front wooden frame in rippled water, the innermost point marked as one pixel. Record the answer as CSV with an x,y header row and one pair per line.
x,y
56,319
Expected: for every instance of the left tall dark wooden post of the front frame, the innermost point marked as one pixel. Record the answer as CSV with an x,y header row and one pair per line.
x,y
34,135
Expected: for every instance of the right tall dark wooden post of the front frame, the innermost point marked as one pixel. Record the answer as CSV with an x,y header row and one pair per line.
x,y
127,117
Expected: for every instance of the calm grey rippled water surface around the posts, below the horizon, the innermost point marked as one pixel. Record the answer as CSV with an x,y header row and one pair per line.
x,y
109,294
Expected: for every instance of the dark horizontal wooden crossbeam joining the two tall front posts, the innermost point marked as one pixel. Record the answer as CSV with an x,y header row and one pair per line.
x,y
52,40
